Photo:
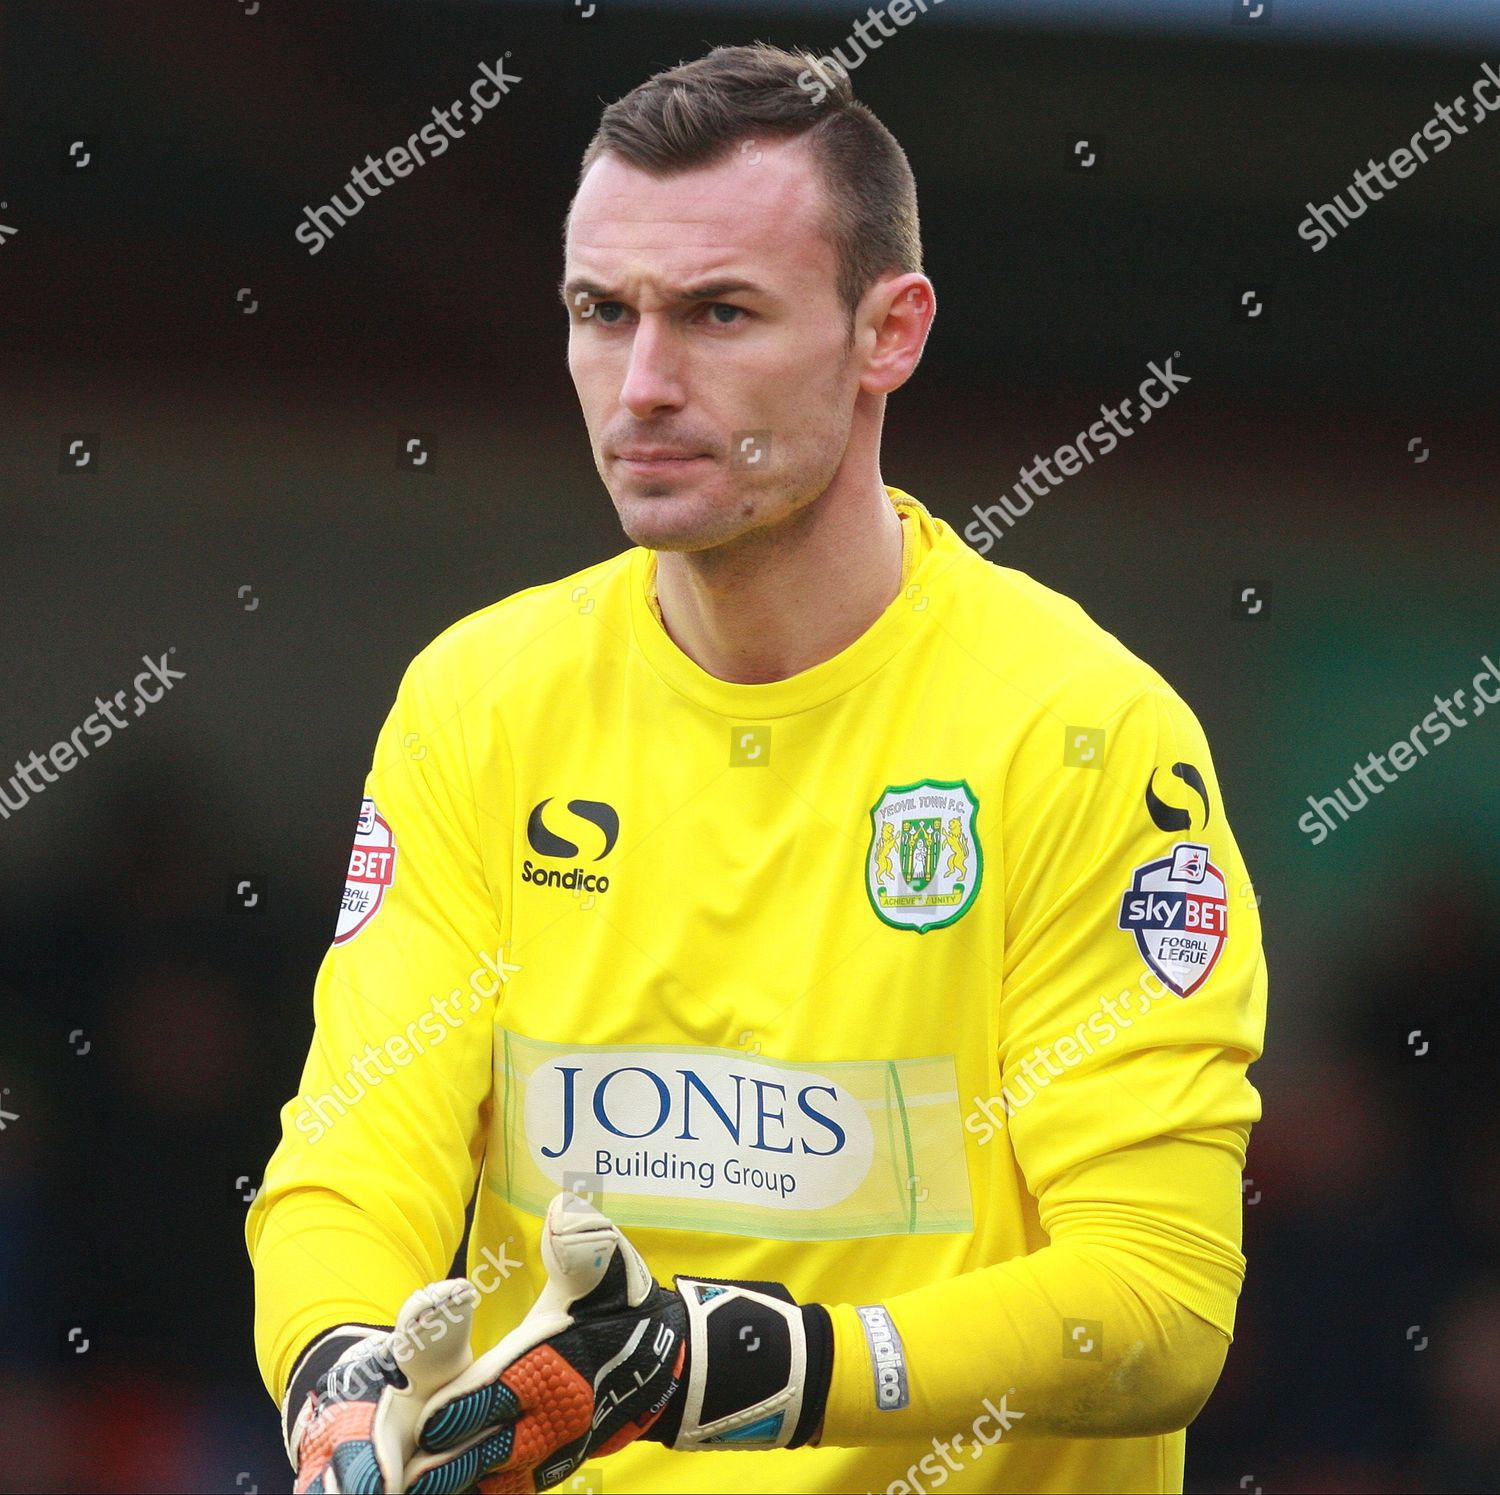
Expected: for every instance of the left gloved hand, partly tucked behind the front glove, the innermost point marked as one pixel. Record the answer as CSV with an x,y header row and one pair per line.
x,y
359,1427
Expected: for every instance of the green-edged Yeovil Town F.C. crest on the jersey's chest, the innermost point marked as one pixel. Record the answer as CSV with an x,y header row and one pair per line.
x,y
925,861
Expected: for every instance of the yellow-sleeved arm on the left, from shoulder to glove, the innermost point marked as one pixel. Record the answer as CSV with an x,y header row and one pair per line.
x,y
364,1199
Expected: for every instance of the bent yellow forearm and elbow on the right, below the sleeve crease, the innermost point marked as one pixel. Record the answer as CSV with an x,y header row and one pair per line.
x,y
1129,1247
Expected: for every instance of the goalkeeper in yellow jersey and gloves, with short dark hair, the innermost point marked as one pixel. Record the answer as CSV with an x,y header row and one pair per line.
x,y
848,920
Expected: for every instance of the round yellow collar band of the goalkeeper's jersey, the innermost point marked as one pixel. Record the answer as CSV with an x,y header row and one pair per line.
x,y
811,688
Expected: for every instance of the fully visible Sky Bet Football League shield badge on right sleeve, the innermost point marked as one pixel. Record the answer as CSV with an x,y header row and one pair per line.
x,y
1178,911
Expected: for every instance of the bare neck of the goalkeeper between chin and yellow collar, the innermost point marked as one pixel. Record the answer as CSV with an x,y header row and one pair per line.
x,y
779,602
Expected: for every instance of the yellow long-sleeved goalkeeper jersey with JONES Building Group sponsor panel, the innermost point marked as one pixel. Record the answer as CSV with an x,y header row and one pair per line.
x,y
893,981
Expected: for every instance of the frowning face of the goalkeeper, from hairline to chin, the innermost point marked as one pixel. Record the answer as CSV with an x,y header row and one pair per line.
x,y
709,344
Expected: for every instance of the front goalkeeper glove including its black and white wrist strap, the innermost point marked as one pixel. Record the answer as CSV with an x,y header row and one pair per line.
x,y
607,1356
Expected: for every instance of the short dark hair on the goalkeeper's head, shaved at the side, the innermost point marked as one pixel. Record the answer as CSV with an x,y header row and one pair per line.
x,y
697,115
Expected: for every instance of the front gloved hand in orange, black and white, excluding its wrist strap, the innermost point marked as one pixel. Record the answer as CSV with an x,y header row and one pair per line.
x,y
589,1370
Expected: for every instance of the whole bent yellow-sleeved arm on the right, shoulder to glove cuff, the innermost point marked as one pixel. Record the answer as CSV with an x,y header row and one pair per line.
x,y
1129,1118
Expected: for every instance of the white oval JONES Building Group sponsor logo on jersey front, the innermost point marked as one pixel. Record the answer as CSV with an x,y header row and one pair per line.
x,y
664,1124
